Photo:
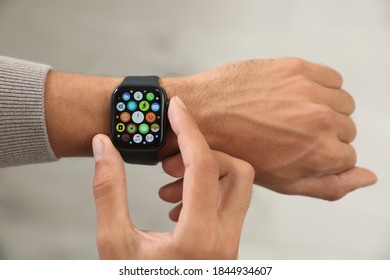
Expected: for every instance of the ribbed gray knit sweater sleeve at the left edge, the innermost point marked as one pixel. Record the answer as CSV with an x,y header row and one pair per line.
x,y
23,133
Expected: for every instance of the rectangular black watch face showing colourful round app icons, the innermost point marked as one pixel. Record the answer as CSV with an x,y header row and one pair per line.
x,y
138,117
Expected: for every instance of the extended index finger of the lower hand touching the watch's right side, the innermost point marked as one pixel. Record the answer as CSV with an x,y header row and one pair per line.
x,y
201,176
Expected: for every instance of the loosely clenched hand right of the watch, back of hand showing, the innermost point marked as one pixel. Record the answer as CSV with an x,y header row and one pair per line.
x,y
287,117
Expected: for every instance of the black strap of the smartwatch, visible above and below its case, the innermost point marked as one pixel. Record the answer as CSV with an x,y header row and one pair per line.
x,y
144,157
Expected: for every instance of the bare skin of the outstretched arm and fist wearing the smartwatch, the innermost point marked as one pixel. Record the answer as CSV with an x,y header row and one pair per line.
x,y
289,118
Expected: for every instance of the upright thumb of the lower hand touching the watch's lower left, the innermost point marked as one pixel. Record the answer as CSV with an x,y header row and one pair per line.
x,y
109,185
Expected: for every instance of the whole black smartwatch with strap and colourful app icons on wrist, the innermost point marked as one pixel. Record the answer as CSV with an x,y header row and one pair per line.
x,y
139,119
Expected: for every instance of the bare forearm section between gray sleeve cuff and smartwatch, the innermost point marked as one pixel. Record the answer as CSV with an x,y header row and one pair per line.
x,y
77,107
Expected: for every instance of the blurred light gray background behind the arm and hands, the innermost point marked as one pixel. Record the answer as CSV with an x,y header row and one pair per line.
x,y
47,210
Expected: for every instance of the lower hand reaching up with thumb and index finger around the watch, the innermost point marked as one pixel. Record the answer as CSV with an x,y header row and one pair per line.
x,y
214,188
